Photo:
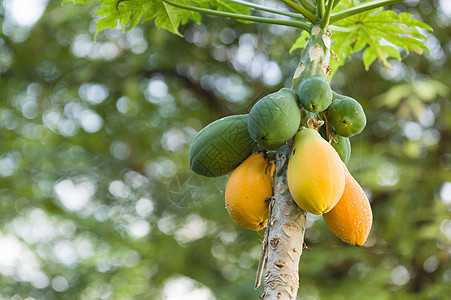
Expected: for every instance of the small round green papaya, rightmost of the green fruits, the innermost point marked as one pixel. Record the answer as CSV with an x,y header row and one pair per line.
x,y
347,116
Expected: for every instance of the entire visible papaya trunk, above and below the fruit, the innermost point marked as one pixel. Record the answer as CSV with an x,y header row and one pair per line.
x,y
287,223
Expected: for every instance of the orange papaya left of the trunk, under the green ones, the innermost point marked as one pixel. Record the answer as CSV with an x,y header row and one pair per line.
x,y
246,191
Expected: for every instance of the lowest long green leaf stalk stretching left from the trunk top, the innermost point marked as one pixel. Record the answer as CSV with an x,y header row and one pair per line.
x,y
298,24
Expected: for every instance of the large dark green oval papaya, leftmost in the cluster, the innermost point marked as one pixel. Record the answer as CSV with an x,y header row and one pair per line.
x,y
221,146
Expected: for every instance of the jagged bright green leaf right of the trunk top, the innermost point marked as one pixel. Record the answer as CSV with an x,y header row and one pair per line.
x,y
382,33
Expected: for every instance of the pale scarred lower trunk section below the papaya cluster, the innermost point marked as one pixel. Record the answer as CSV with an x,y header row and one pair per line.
x,y
285,239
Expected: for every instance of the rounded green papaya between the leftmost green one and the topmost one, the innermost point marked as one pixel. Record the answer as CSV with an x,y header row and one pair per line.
x,y
275,119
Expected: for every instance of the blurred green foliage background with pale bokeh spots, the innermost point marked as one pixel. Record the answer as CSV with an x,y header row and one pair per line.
x,y
97,198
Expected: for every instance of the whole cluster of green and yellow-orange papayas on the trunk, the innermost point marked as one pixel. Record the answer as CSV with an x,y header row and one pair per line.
x,y
318,179
